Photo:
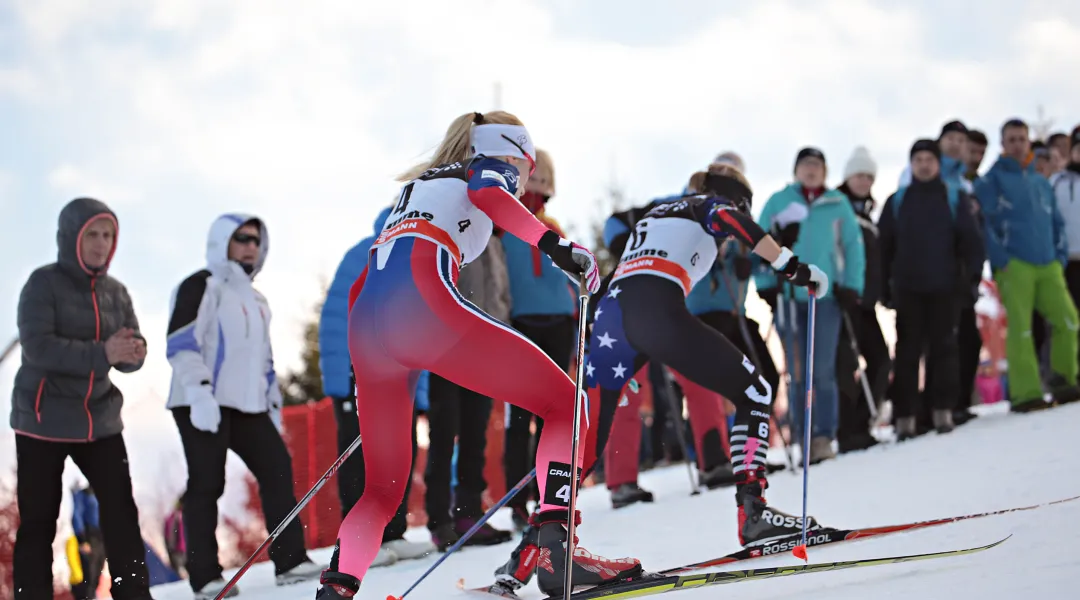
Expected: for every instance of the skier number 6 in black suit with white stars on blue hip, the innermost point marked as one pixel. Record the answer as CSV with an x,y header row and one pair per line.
x,y
643,316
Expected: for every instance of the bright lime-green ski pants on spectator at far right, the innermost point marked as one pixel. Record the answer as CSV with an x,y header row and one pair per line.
x,y
1025,288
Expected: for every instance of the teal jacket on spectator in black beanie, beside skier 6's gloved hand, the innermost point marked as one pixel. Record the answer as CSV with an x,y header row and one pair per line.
x,y
830,239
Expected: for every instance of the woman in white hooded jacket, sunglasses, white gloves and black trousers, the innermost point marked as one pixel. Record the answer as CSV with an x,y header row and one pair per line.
x,y
225,397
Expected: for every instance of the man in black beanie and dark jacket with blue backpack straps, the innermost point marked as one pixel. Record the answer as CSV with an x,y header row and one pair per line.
x,y
929,240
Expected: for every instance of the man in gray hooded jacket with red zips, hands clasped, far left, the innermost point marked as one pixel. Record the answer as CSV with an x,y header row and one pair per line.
x,y
76,324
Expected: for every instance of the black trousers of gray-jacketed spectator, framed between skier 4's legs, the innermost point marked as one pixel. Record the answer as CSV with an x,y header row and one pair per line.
x,y
455,413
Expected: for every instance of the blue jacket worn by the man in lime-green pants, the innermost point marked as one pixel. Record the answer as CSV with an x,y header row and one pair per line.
x,y
1022,216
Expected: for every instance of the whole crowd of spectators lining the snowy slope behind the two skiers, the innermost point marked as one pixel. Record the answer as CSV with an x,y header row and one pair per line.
x,y
950,234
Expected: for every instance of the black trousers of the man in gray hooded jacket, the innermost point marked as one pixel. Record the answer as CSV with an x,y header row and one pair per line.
x,y
40,492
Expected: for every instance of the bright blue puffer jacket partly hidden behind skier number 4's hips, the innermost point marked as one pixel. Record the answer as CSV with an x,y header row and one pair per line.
x,y
334,360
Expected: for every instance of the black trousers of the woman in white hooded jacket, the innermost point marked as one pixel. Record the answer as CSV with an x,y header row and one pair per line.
x,y
255,440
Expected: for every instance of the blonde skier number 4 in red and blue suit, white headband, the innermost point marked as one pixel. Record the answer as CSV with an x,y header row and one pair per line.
x,y
407,316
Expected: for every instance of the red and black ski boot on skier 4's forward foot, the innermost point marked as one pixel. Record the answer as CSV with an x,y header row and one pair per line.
x,y
589,569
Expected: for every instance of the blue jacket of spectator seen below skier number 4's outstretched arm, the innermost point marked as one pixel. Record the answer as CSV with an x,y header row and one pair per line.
x,y
537,288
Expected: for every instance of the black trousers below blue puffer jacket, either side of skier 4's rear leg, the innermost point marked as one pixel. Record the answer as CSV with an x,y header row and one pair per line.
x,y
352,475
